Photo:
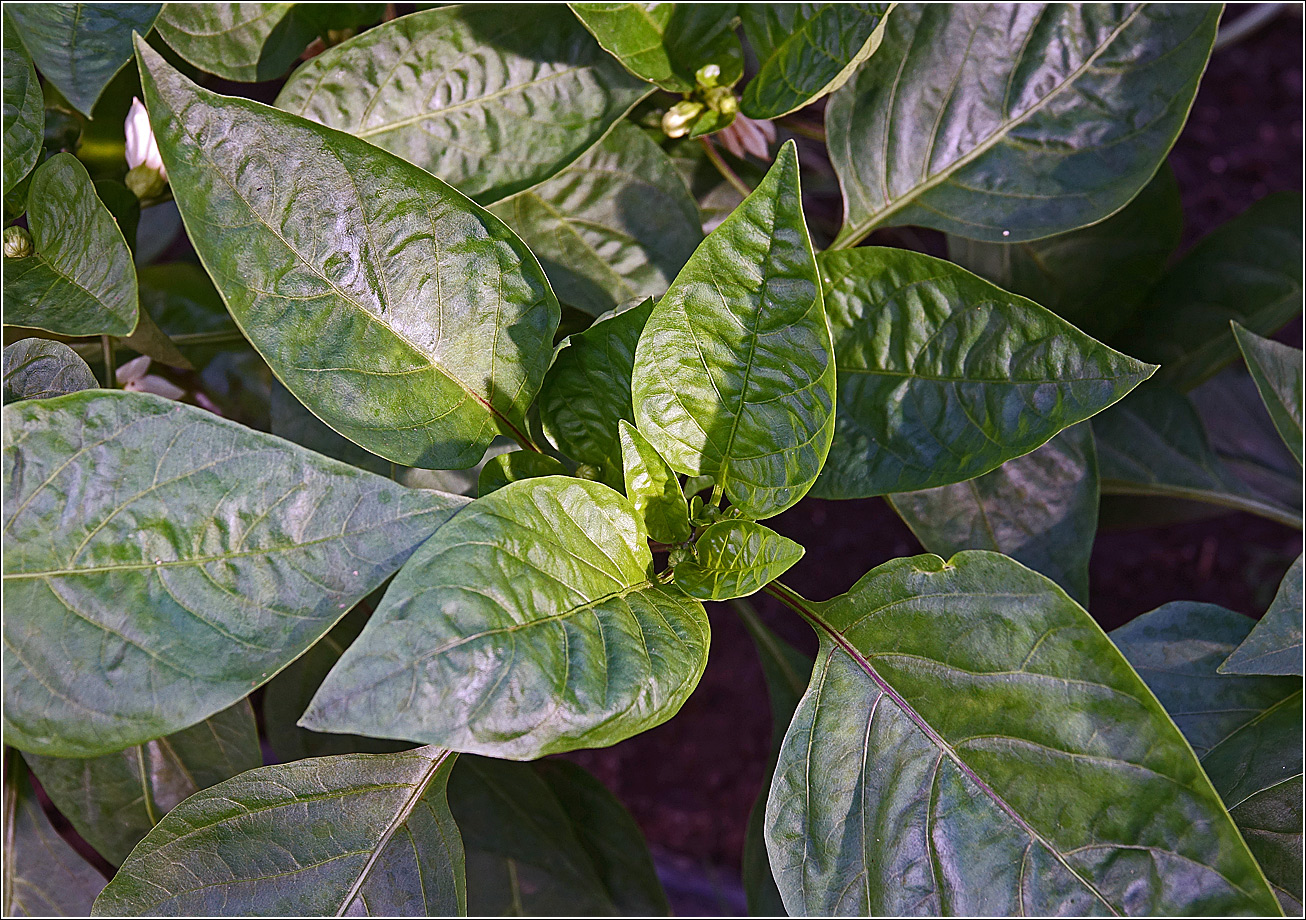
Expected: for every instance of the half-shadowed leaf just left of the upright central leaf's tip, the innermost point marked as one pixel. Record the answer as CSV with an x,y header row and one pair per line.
x,y
614,227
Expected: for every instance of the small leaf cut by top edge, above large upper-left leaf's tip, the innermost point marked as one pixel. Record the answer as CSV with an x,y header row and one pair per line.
x,y
237,41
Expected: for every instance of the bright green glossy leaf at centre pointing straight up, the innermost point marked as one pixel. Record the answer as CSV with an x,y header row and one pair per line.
x,y
735,372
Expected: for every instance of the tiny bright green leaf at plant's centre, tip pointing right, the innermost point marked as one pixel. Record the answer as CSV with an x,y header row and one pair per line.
x,y
736,559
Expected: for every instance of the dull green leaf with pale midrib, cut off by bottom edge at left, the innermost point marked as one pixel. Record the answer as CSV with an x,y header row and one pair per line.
x,y
365,834
